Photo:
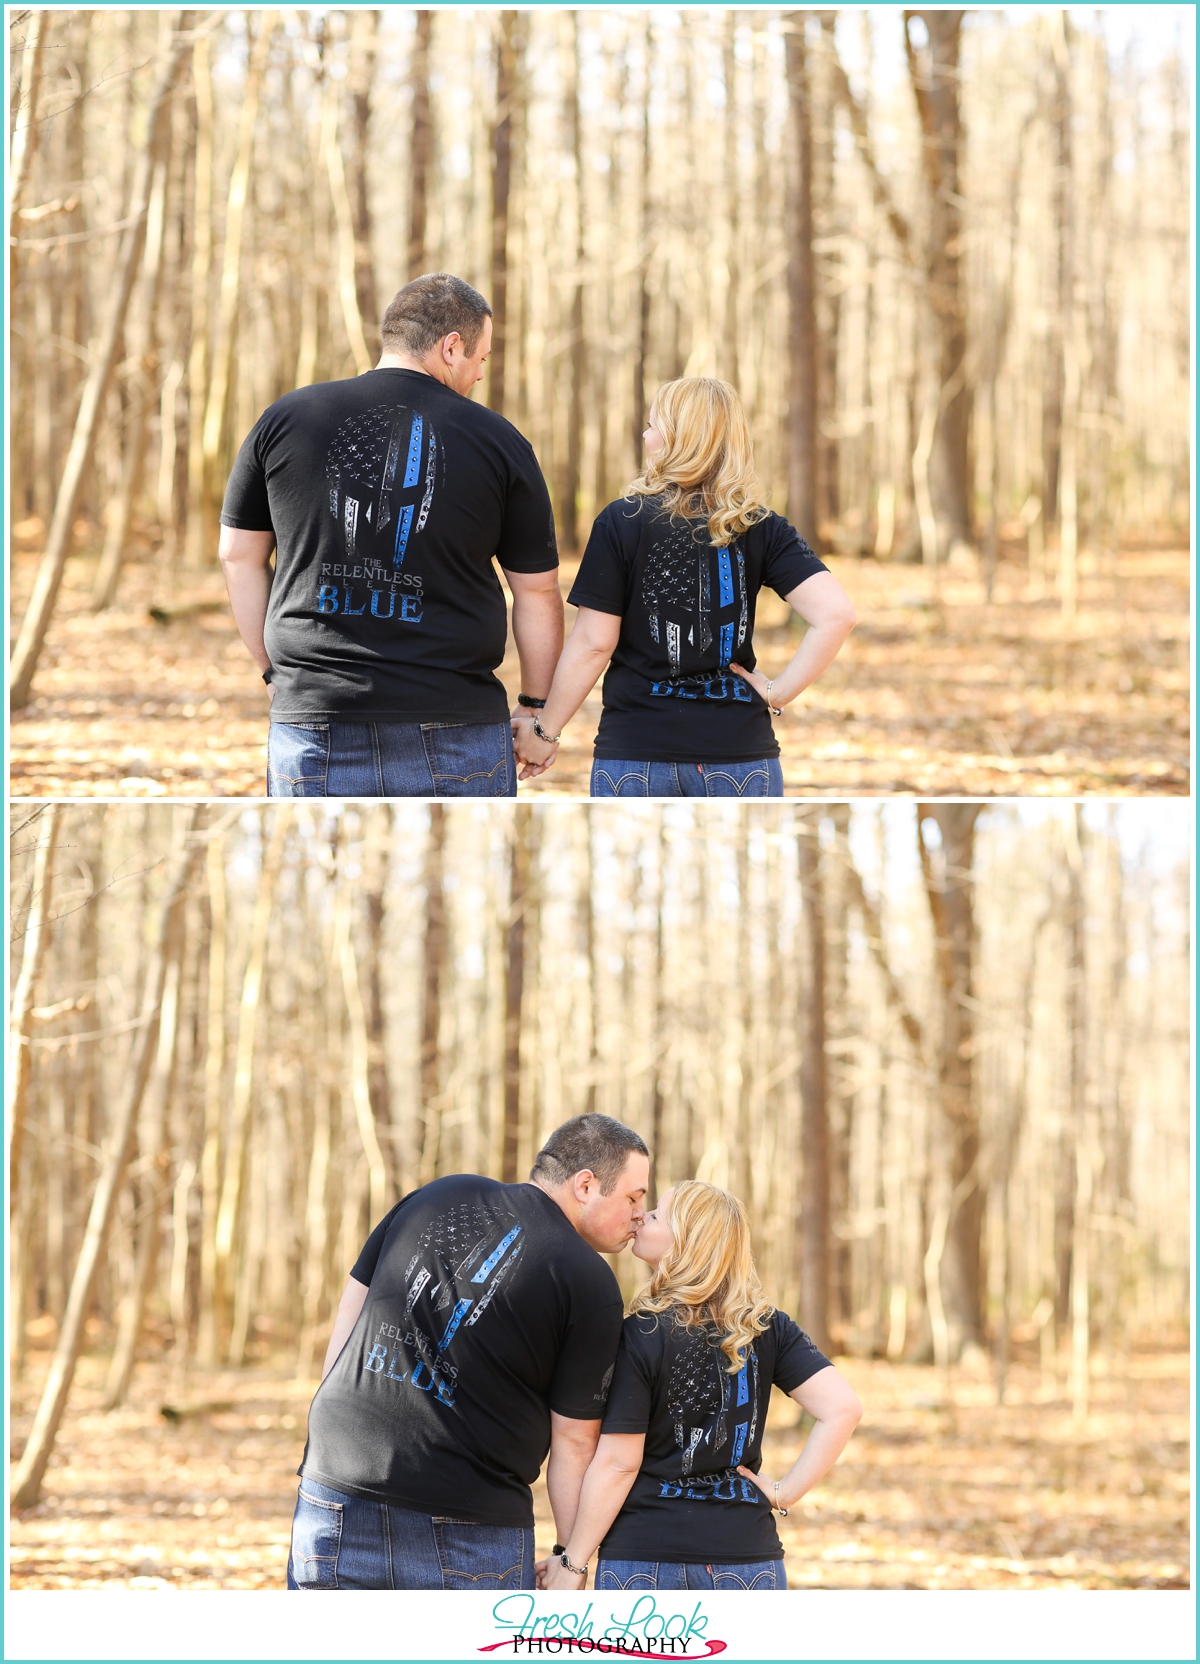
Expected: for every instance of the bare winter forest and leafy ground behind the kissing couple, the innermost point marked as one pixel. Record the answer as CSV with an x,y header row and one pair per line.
x,y
940,1049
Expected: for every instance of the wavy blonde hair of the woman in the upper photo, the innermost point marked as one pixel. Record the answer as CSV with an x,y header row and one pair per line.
x,y
707,465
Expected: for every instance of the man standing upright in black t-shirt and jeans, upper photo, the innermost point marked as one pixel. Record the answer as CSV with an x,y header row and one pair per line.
x,y
385,500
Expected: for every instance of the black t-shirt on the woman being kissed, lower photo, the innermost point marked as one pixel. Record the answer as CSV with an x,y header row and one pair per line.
x,y
688,1503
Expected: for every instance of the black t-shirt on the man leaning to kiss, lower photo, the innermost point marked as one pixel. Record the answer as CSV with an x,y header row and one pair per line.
x,y
485,1312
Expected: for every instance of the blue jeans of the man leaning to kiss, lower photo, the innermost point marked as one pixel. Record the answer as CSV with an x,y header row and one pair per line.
x,y
345,1543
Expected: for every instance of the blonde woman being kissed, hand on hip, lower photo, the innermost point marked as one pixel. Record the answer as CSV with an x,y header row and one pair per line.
x,y
673,1498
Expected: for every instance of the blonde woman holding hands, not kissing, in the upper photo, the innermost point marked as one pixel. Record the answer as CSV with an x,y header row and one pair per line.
x,y
667,592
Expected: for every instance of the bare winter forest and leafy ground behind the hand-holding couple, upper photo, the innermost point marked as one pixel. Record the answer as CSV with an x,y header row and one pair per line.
x,y
945,255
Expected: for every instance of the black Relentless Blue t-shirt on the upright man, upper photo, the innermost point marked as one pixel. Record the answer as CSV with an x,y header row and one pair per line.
x,y
390,497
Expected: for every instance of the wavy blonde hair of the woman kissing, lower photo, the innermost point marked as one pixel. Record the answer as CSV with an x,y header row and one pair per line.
x,y
707,1279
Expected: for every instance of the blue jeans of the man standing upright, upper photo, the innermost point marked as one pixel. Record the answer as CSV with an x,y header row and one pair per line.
x,y
390,760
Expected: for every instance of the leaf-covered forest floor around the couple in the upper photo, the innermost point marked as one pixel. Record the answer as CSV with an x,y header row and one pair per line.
x,y
935,695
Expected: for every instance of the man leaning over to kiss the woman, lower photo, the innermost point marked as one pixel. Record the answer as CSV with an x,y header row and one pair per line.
x,y
479,1332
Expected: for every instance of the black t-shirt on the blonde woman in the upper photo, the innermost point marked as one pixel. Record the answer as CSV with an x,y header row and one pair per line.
x,y
687,613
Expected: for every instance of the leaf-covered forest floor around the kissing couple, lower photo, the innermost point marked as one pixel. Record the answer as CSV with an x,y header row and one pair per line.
x,y
928,1497
